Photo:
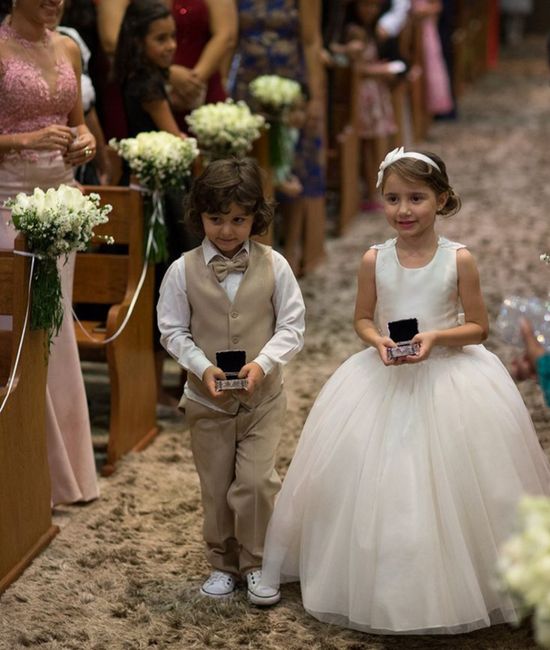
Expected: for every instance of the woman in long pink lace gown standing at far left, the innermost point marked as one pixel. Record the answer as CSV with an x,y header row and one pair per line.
x,y
42,137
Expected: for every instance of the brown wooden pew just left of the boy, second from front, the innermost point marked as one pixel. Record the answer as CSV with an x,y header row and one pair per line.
x,y
106,278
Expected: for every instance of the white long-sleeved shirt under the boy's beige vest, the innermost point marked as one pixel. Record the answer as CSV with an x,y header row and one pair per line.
x,y
174,316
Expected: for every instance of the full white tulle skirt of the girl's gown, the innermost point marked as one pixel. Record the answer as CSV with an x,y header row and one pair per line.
x,y
404,485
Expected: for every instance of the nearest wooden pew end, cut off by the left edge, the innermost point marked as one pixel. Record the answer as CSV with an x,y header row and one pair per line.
x,y
25,490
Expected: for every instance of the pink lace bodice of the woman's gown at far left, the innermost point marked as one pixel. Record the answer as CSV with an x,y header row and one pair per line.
x,y
27,102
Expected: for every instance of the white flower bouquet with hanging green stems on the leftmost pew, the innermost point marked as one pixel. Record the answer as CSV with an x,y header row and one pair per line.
x,y
56,223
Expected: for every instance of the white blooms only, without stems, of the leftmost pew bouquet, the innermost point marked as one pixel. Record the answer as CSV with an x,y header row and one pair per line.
x,y
57,221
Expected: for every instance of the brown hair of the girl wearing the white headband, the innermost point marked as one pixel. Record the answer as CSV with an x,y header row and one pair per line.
x,y
414,170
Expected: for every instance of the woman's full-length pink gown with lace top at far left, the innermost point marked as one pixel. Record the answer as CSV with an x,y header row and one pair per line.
x,y
28,103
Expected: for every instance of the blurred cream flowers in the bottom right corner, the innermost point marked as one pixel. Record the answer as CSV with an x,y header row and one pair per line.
x,y
525,565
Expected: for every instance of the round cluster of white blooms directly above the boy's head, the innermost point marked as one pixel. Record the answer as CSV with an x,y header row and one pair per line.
x,y
225,128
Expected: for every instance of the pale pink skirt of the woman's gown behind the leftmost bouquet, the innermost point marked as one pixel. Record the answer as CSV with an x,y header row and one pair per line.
x,y
69,439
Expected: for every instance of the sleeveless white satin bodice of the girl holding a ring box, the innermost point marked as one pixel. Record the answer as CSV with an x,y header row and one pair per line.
x,y
428,293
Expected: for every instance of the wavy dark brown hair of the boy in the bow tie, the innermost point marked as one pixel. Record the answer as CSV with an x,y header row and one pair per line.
x,y
227,181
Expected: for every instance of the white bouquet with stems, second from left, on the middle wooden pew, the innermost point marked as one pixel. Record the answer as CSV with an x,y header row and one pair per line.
x,y
161,161
